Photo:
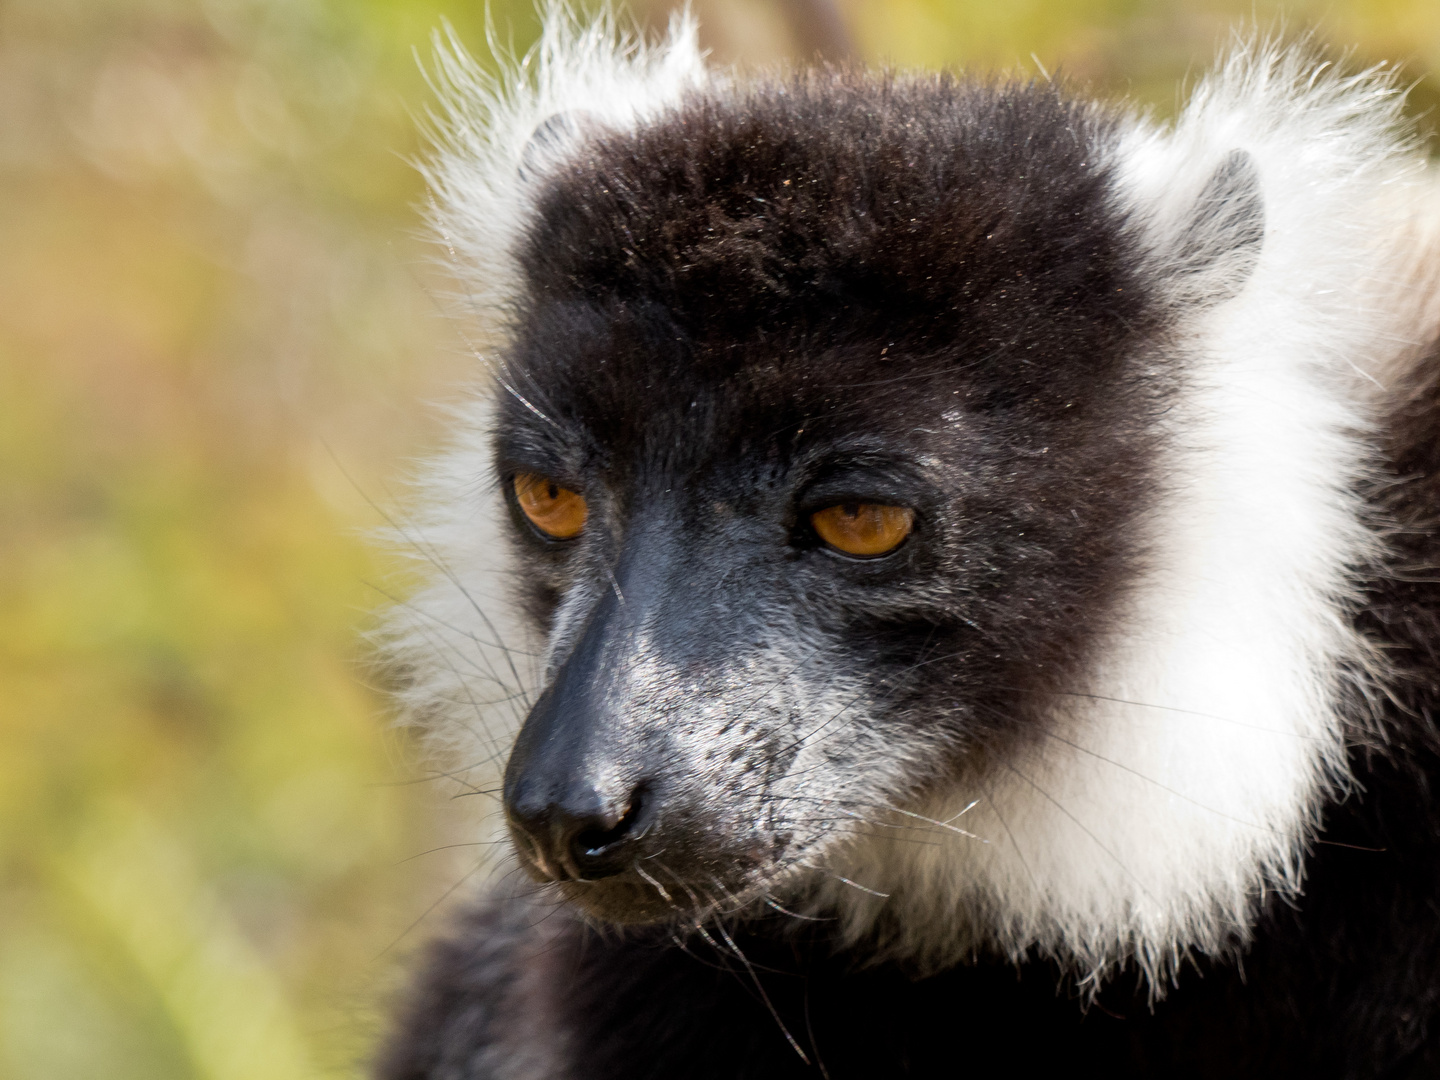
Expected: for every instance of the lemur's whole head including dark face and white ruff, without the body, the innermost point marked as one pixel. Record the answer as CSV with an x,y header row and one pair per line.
x,y
866,456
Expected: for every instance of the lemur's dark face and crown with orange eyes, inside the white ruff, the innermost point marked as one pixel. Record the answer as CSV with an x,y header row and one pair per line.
x,y
824,431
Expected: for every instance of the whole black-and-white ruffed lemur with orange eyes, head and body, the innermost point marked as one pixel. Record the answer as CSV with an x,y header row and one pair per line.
x,y
950,571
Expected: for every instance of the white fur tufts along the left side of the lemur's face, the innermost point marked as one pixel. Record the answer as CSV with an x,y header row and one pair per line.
x,y
469,690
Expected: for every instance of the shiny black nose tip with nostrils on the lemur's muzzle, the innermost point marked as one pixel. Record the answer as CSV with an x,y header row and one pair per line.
x,y
578,839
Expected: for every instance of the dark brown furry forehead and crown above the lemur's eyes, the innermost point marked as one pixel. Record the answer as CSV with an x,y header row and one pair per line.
x,y
827,221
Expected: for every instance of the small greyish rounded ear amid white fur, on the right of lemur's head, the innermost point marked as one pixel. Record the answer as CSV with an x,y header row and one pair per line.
x,y
1218,250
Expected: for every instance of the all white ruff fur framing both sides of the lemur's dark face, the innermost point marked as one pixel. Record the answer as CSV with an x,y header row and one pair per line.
x,y
1186,777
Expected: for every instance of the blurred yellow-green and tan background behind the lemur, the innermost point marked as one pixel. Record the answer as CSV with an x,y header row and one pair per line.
x,y
220,349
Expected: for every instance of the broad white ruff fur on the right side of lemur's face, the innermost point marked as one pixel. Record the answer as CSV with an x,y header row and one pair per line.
x,y
1160,810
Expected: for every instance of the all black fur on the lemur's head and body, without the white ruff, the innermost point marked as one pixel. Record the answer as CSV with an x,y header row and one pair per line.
x,y
830,282
